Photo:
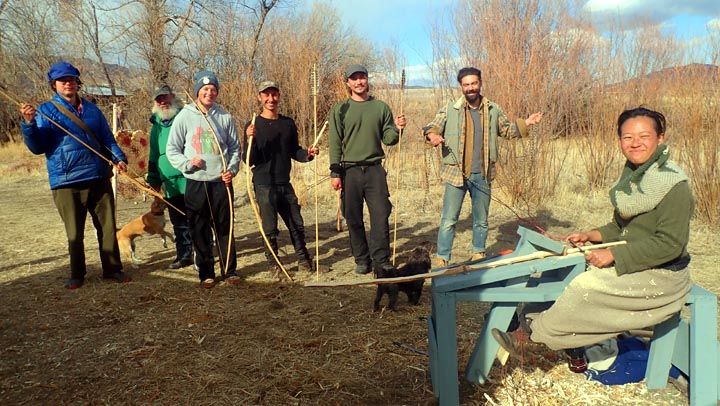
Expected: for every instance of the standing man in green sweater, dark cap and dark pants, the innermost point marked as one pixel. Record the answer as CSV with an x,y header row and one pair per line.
x,y
359,126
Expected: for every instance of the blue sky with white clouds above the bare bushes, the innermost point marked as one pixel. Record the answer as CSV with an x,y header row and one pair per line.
x,y
407,22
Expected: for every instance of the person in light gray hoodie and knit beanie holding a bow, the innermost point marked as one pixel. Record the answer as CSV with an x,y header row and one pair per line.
x,y
209,164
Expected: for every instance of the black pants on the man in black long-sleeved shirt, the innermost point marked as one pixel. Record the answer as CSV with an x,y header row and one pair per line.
x,y
281,199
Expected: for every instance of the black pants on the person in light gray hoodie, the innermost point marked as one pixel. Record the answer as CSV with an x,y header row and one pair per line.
x,y
207,210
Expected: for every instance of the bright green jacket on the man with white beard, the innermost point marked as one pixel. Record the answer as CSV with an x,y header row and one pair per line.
x,y
160,171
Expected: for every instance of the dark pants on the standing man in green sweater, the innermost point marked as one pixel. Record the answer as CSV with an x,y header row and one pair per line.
x,y
369,184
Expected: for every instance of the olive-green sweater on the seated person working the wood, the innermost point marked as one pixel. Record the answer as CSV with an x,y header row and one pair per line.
x,y
655,237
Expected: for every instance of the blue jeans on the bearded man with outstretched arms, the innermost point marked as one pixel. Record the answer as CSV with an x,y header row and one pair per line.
x,y
452,203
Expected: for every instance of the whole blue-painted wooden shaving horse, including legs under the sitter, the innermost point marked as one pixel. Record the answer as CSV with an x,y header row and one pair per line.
x,y
675,341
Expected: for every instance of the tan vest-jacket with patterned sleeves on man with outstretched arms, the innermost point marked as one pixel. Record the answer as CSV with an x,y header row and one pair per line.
x,y
450,123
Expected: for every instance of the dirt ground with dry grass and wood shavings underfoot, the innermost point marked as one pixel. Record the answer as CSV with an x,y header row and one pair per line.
x,y
163,340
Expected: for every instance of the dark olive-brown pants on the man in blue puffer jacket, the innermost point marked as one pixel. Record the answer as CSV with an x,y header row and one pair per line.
x,y
74,203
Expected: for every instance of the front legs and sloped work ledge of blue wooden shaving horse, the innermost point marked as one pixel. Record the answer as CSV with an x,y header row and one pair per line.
x,y
504,286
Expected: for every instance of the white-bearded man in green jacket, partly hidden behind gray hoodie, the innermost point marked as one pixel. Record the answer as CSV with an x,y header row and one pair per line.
x,y
161,172
